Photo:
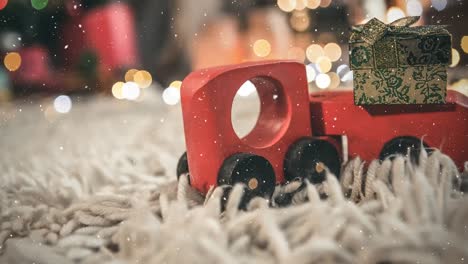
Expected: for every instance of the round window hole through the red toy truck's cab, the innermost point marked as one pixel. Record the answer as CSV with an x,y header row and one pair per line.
x,y
271,111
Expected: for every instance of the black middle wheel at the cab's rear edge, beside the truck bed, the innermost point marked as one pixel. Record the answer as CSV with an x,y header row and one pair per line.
x,y
307,159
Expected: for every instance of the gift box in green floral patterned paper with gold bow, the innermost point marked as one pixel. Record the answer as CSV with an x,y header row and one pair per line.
x,y
399,64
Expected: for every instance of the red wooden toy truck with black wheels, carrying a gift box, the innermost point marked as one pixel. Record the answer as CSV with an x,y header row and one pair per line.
x,y
297,135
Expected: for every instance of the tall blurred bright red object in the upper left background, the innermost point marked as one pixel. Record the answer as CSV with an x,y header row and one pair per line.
x,y
108,31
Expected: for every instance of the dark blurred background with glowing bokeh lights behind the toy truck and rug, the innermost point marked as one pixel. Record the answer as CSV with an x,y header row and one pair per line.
x,y
60,48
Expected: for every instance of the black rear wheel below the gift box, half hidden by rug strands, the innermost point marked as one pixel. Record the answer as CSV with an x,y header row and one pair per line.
x,y
401,145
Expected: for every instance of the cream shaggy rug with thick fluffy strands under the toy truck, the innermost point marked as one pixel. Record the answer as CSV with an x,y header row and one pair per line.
x,y
97,185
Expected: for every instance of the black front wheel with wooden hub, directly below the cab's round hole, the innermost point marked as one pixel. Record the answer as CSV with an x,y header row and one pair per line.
x,y
255,172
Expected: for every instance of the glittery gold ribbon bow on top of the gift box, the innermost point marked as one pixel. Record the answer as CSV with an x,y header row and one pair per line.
x,y
375,29
